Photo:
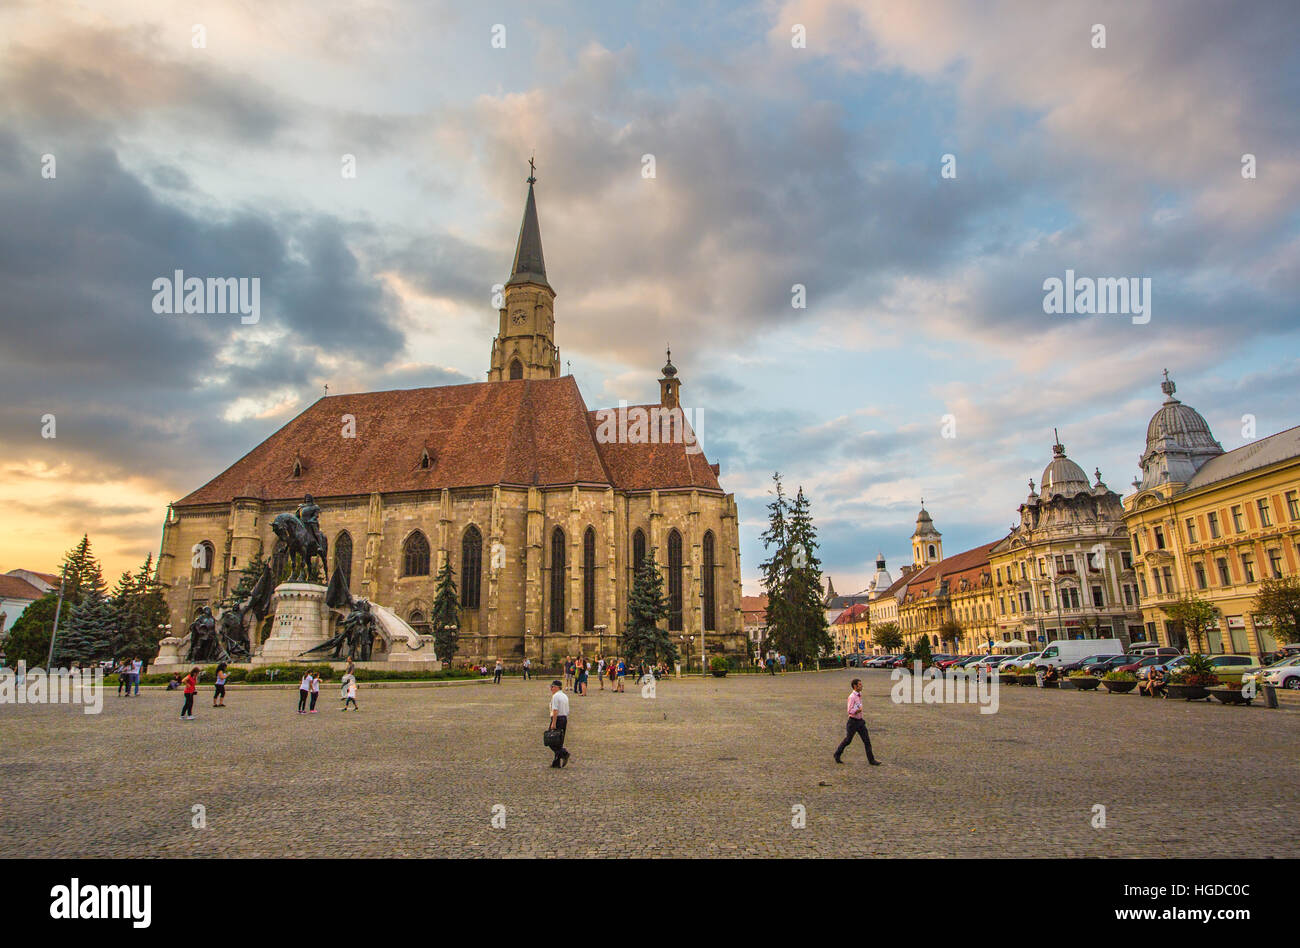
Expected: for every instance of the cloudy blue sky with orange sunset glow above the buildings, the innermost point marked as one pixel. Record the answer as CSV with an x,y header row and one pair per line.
x,y
775,165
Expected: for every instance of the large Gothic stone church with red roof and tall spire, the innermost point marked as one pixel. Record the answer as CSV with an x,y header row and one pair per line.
x,y
543,514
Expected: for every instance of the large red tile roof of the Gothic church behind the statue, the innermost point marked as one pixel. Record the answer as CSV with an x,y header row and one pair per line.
x,y
523,432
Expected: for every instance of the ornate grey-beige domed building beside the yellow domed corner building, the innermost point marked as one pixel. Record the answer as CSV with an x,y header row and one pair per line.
x,y
1065,570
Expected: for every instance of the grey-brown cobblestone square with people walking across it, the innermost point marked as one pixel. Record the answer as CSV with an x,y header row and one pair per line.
x,y
707,768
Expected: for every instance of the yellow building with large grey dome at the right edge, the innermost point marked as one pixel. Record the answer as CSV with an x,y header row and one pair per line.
x,y
1214,525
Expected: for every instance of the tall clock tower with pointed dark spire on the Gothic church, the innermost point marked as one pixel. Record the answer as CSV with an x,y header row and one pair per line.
x,y
526,337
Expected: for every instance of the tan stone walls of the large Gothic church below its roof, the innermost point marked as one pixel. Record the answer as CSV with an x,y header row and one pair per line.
x,y
514,614
